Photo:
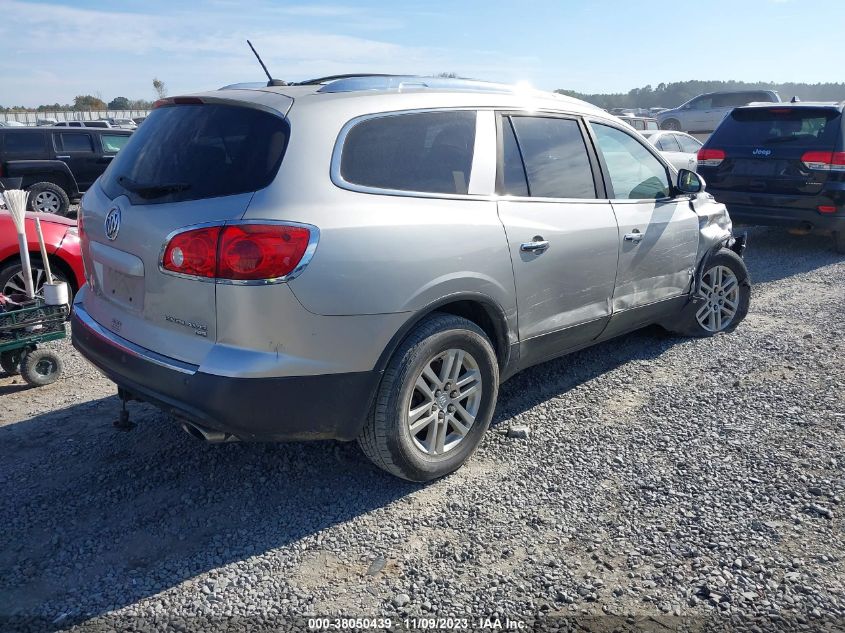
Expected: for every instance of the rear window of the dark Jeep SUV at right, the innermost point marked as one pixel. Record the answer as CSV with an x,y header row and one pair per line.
x,y
804,127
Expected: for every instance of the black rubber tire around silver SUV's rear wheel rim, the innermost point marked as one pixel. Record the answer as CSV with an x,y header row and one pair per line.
x,y
386,439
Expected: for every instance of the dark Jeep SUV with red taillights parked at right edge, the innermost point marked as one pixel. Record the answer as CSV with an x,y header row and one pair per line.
x,y
781,165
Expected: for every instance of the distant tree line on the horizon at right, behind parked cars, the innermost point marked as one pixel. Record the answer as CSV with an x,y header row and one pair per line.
x,y
674,94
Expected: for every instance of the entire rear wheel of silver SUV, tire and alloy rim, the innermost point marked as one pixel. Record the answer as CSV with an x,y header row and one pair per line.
x,y
435,401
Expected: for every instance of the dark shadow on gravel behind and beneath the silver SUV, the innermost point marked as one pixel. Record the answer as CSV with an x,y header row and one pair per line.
x,y
95,519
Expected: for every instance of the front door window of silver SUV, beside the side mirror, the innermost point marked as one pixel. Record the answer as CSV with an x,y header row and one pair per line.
x,y
634,171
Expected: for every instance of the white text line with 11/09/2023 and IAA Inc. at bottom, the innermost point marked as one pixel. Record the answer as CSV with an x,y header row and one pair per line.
x,y
417,624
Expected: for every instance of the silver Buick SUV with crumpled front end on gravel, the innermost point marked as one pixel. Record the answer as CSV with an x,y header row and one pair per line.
x,y
370,257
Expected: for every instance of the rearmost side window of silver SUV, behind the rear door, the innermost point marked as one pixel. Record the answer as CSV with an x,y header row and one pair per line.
x,y
427,151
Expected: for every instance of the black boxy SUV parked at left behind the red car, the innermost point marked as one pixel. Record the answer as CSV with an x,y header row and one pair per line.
x,y
57,164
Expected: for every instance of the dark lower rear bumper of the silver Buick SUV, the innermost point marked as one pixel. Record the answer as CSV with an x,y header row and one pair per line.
x,y
331,406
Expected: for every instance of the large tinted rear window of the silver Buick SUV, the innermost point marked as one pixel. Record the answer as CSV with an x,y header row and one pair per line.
x,y
189,152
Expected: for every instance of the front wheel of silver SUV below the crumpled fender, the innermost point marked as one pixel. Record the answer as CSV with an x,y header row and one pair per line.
x,y
722,299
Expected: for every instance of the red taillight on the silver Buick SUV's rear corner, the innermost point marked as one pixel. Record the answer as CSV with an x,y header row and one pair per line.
x,y
241,252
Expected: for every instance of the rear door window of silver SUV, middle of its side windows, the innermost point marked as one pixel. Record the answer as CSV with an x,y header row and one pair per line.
x,y
555,156
